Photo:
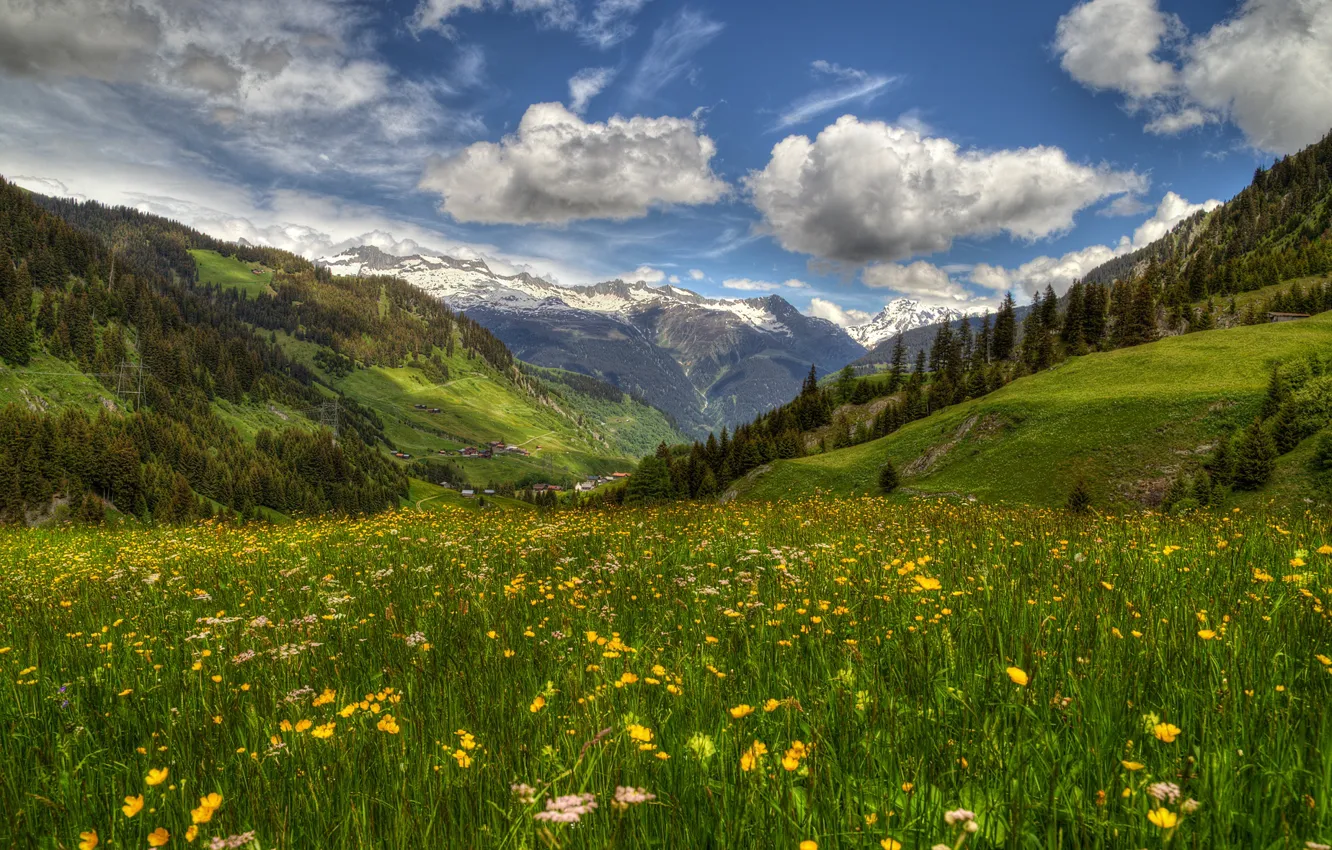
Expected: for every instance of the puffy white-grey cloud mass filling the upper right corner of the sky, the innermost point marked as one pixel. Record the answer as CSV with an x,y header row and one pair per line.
x,y
1267,69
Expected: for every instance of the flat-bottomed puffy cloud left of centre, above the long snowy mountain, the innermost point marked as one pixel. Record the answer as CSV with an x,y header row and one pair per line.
x,y
559,169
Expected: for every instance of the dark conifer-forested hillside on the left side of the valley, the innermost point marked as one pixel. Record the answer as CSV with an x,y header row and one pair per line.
x,y
134,387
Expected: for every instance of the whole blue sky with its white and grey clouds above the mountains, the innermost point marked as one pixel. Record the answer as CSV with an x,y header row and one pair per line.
x,y
840,154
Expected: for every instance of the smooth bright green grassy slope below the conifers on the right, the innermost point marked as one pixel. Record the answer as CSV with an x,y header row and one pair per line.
x,y
1118,419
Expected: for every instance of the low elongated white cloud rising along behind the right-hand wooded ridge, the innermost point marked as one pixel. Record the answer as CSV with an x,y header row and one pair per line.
x,y
1061,272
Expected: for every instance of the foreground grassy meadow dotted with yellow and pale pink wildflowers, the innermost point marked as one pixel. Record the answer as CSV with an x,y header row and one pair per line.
x,y
827,673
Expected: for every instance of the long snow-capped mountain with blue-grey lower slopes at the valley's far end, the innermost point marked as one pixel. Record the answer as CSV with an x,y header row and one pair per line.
x,y
707,362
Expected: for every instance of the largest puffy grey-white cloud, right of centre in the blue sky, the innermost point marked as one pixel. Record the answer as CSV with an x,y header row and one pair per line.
x,y
870,191
